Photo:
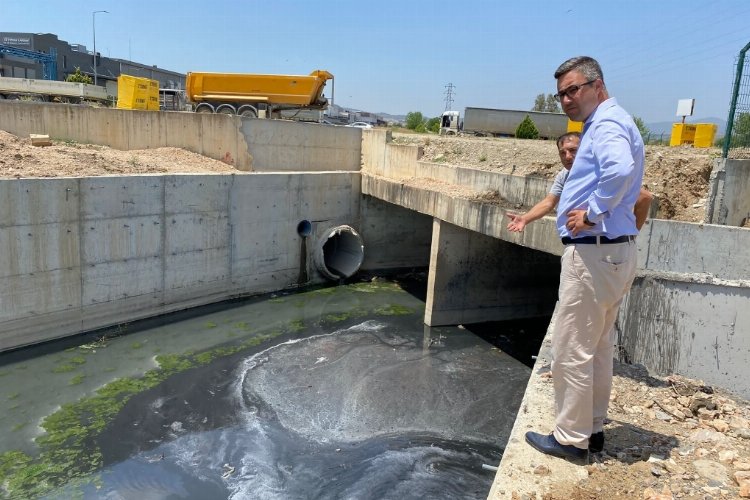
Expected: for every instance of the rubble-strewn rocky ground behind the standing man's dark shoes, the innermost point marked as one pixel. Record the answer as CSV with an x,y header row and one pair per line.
x,y
667,437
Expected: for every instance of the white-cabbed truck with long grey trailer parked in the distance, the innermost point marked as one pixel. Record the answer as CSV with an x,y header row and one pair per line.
x,y
503,122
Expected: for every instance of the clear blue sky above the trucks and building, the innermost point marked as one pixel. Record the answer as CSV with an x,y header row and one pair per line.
x,y
398,56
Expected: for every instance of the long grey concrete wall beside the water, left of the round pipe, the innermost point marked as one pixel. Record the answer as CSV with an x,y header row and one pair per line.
x,y
84,253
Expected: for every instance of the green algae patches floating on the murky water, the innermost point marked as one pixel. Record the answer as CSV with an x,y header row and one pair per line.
x,y
67,455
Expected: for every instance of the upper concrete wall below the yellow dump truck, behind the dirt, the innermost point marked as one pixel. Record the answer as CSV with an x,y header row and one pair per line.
x,y
246,143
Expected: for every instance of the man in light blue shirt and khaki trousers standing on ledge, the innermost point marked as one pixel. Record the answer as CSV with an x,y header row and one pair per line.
x,y
596,223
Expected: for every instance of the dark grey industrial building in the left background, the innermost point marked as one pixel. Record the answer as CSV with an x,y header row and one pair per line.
x,y
72,56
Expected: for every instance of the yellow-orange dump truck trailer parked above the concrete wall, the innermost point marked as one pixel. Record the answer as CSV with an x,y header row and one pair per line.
x,y
255,95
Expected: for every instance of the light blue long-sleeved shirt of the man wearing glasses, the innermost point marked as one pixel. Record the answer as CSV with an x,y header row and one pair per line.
x,y
607,174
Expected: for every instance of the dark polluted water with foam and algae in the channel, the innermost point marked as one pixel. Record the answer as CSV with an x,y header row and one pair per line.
x,y
337,393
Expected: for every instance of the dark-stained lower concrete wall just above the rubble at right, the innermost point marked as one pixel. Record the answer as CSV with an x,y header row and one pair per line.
x,y
673,325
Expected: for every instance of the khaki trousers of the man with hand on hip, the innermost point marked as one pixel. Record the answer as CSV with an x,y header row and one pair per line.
x,y
593,281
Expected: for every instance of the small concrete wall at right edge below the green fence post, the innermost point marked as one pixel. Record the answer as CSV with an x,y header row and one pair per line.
x,y
729,193
